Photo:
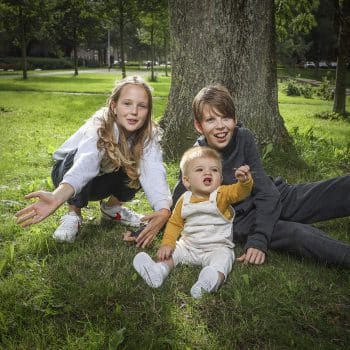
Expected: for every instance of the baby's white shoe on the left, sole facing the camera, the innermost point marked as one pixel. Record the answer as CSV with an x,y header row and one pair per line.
x,y
150,271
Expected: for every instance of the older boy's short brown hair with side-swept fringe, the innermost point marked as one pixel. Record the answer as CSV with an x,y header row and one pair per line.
x,y
218,98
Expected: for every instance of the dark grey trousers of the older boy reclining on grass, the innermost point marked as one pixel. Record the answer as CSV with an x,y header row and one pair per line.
x,y
303,205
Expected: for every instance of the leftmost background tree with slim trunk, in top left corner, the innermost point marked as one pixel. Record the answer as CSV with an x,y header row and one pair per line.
x,y
25,20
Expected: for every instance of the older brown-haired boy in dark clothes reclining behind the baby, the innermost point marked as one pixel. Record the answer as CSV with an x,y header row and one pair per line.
x,y
277,215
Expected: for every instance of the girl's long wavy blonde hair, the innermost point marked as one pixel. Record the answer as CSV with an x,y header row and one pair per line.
x,y
126,152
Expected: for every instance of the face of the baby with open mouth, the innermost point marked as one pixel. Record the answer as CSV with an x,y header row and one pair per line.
x,y
203,176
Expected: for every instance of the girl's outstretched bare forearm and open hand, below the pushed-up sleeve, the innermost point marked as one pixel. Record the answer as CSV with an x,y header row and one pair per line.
x,y
46,204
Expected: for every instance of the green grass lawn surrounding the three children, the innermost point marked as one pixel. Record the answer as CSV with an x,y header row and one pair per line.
x,y
87,295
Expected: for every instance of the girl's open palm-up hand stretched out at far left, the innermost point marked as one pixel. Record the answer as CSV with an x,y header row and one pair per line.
x,y
46,204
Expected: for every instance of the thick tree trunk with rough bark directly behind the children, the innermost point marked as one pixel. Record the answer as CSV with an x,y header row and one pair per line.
x,y
226,42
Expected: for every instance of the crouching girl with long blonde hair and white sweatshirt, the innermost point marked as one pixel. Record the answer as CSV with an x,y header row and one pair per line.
x,y
111,155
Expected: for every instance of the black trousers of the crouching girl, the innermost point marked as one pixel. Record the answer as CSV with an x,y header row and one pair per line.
x,y
100,187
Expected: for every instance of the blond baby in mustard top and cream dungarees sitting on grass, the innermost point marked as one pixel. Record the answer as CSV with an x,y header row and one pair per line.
x,y
203,217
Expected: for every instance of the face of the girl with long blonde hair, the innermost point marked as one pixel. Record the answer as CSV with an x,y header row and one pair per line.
x,y
131,109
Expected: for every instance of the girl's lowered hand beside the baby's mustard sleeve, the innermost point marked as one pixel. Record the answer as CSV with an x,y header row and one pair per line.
x,y
155,223
